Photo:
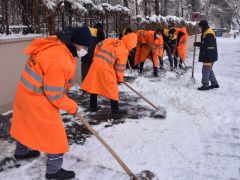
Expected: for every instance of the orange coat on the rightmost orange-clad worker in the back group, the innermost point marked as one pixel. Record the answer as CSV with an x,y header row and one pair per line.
x,y
182,46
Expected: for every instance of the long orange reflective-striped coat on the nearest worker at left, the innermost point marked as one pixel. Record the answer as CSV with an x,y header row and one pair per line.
x,y
40,95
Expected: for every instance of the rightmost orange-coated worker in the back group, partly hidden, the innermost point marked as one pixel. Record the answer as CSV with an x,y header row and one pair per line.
x,y
182,37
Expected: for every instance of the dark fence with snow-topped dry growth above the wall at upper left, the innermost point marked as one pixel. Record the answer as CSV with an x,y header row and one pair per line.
x,y
32,16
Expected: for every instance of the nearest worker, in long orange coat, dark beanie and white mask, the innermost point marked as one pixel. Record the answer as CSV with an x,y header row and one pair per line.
x,y
36,124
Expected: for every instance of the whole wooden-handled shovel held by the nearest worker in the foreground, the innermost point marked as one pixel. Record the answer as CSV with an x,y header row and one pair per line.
x,y
144,175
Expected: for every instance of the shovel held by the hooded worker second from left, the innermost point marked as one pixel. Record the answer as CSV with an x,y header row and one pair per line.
x,y
158,113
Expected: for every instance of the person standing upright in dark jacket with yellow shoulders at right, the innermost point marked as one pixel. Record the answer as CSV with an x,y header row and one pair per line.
x,y
208,55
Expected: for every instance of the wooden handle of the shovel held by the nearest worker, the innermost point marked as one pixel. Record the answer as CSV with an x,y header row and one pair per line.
x,y
116,157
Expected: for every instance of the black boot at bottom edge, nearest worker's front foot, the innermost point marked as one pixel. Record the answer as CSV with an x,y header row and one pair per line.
x,y
61,175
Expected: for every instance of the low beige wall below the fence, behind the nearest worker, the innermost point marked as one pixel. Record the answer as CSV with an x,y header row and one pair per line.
x,y
11,65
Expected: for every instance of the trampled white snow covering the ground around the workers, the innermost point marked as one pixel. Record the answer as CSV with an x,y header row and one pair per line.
x,y
199,139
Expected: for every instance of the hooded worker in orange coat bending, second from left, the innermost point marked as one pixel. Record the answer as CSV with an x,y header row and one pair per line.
x,y
107,70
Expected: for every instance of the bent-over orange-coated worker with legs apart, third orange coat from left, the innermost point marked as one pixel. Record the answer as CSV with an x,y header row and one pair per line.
x,y
150,45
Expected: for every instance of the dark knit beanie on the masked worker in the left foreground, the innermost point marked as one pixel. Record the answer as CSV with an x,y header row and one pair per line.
x,y
81,36
